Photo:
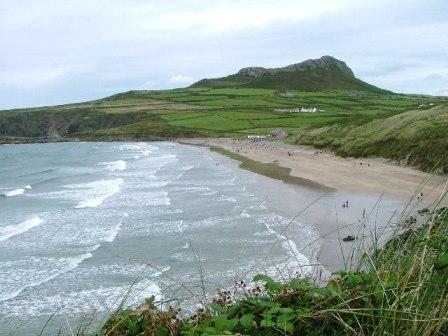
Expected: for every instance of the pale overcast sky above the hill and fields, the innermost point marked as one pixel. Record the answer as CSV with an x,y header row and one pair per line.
x,y
61,51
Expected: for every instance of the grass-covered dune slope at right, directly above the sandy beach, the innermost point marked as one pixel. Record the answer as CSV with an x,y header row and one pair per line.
x,y
419,137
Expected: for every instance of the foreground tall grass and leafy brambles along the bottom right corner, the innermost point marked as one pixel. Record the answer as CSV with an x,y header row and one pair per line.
x,y
398,289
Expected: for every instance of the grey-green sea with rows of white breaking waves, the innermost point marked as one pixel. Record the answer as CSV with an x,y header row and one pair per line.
x,y
87,228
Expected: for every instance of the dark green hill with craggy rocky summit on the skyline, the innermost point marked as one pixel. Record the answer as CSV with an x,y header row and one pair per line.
x,y
325,73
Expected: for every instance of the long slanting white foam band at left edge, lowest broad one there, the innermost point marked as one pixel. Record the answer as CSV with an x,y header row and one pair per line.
x,y
39,276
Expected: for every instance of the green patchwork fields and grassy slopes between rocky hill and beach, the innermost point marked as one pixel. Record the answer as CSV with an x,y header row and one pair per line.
x,y
354,123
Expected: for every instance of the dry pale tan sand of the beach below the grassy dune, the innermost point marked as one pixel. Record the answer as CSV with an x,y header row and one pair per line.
x,y
369,176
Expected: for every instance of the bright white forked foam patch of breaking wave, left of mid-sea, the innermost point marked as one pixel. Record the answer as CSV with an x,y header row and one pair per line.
x,y
97,192
